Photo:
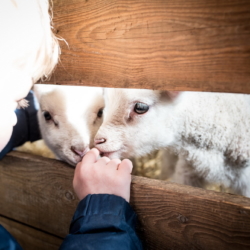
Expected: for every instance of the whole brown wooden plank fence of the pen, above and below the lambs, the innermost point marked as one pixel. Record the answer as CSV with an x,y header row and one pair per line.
x,y
162,44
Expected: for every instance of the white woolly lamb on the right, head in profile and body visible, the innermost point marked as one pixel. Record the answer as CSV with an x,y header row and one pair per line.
x,y
210,132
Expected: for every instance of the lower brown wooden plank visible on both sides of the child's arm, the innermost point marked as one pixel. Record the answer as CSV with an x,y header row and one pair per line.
x,y
37,191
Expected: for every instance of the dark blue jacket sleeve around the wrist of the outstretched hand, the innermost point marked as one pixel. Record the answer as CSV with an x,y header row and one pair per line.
x,y
103,222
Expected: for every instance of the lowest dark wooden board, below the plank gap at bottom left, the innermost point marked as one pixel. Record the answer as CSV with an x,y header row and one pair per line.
x,y
30,238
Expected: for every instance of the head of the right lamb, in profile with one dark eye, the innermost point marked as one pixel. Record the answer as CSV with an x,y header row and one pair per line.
x,y
136,122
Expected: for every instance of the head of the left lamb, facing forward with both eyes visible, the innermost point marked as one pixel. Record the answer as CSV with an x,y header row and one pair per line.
x,y
69,118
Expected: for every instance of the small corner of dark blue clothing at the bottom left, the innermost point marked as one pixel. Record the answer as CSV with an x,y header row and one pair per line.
x,y
7,242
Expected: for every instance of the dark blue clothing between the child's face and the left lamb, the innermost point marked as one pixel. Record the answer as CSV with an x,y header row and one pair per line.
x,y
26,129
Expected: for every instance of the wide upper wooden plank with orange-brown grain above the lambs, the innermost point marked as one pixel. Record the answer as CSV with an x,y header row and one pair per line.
x,y
175,44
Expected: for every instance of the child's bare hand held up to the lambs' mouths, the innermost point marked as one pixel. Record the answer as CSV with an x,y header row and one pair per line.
x,y
102,176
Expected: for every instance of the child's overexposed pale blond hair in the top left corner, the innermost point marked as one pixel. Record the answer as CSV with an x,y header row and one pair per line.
x,y
29,50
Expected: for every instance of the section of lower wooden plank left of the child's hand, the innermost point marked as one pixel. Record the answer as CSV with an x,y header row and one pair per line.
x,y
38,192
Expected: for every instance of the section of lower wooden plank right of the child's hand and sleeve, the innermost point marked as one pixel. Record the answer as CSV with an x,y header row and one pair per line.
x,y
180,217
